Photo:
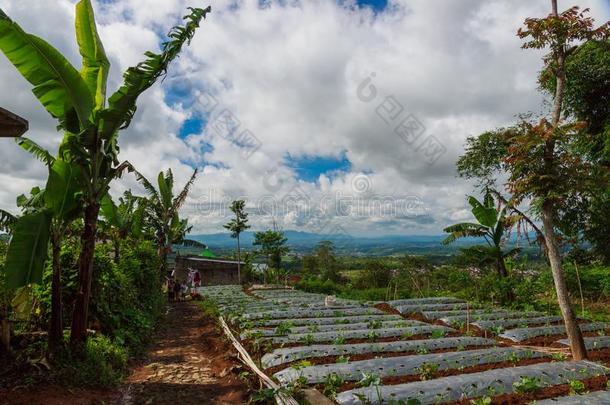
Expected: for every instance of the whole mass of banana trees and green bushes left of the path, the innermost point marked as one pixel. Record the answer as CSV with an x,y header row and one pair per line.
x,y
104,271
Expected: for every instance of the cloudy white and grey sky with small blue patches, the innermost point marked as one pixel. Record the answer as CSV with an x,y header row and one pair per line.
x,y
326,116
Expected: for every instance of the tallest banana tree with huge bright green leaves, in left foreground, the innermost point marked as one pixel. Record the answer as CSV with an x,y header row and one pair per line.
x,y
91,123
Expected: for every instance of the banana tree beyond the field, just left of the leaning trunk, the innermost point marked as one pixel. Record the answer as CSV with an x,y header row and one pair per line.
x,y
492,225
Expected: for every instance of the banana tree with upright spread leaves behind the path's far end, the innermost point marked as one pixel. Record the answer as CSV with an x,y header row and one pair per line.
x,y
162,212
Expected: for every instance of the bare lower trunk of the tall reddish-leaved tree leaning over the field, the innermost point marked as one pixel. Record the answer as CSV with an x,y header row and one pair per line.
x,y
577,344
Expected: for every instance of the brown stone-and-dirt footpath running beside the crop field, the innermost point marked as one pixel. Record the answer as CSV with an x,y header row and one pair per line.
x,y
189,363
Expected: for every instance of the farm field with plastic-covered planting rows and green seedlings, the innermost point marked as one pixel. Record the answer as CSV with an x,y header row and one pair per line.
x,y
437,350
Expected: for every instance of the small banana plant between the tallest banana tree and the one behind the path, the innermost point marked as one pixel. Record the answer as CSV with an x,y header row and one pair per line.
x,y
122,220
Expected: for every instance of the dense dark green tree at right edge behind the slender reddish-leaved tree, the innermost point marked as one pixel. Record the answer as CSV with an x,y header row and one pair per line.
x,y
587,98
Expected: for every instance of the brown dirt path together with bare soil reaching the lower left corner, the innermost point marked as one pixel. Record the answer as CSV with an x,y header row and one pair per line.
x,y
189,363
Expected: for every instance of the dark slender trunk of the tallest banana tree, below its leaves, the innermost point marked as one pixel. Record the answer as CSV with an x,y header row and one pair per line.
x,y
78,336
